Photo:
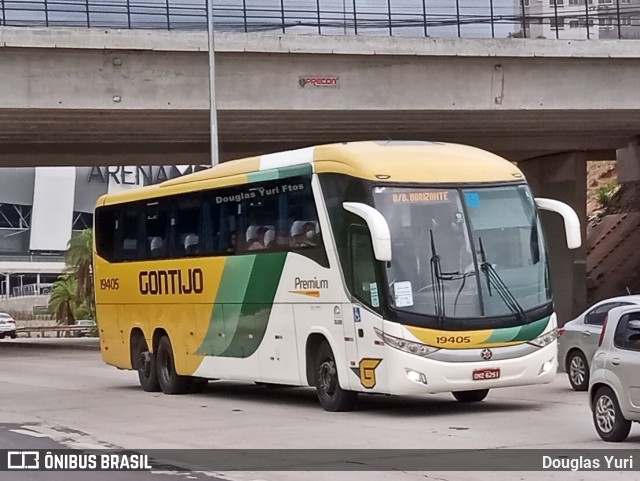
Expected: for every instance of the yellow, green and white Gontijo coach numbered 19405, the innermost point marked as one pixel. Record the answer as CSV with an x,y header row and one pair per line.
x,y
367,267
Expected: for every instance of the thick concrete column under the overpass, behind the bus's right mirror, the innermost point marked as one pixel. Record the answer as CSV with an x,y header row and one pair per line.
x,y
563,177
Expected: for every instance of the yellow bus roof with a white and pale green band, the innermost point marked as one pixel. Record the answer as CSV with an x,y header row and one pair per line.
x,y
389,161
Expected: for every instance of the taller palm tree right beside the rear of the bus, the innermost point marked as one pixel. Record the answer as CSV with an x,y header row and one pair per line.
x,y
79,260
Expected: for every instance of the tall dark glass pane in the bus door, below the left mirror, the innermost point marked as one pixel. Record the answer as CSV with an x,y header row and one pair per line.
x,y
363,268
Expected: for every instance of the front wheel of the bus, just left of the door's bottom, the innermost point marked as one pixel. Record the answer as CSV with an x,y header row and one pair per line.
x,y
331,396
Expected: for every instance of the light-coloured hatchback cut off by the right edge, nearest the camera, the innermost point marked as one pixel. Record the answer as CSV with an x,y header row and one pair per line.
x,y
614,389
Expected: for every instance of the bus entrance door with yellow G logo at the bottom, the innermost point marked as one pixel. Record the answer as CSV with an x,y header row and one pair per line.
x,y
364,349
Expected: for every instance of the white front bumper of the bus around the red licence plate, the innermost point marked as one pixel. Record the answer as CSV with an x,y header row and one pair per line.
x,y
410,374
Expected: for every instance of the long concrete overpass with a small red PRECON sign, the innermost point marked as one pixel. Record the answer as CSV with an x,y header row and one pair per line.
x,y
90,96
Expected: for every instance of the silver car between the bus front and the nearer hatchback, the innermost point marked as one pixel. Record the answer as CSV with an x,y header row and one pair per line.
x,y
578,339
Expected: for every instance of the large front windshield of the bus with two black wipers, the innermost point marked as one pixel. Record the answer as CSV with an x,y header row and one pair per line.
x,y
464,253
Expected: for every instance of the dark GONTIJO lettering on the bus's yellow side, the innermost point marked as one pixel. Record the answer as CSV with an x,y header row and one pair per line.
x,y
171,282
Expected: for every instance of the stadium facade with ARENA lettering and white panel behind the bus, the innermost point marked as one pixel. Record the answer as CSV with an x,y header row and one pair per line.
x,y
41,208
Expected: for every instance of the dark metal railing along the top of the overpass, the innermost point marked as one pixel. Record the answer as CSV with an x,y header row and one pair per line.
x,y
564,19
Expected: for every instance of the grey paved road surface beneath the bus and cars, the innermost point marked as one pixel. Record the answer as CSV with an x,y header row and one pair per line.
x,y
72,398
